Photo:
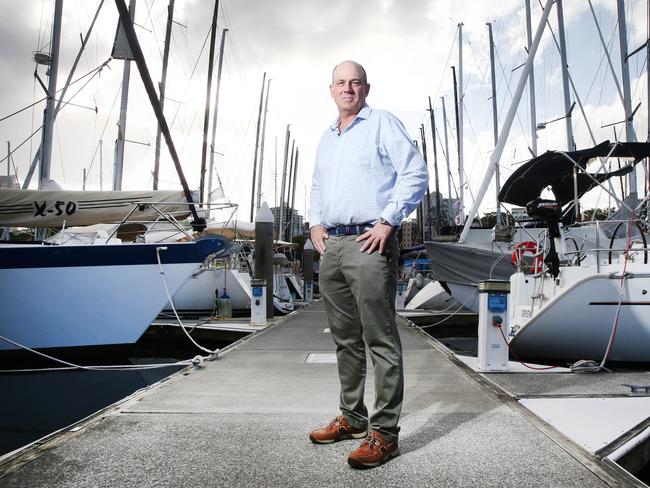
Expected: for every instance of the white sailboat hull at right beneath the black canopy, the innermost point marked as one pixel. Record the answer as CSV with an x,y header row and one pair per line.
x,y
577,313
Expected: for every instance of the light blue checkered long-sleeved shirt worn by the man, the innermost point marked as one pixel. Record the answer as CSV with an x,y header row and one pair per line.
x,y
371,170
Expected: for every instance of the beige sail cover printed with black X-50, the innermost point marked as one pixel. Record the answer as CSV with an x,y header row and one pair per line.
x,y
45,208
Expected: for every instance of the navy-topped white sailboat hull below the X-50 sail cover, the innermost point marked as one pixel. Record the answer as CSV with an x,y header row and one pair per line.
x,y
74,296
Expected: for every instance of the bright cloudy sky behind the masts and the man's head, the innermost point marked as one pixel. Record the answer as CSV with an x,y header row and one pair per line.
x,y
407,48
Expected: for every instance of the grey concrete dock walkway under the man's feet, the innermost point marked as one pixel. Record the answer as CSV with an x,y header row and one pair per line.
x,y
243,420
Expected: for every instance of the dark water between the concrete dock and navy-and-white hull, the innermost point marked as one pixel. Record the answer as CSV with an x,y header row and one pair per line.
x,y
35,404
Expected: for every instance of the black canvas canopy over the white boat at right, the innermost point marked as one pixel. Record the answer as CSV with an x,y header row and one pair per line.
x,y
554,169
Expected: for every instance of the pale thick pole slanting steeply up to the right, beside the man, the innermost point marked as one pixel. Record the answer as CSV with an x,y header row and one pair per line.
x,y
510,116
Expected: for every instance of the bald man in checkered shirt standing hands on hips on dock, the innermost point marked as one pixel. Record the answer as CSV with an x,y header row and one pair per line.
x,y
368,177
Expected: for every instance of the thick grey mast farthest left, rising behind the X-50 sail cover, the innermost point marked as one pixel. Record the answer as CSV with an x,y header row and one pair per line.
x,y
48,115
